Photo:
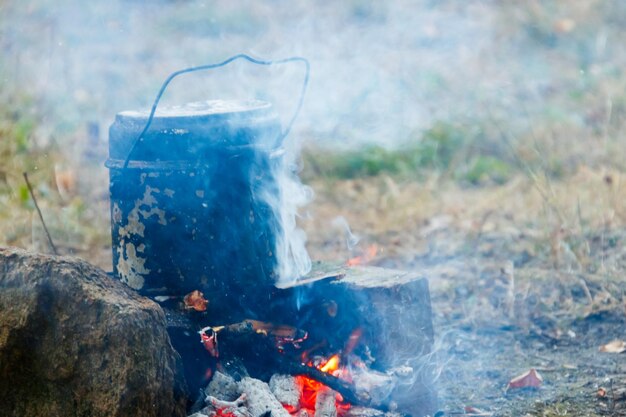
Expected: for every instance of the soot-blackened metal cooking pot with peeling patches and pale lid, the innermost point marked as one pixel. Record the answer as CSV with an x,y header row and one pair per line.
x,y
190,210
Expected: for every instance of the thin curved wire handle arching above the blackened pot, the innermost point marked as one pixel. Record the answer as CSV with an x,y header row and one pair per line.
x,y
248,58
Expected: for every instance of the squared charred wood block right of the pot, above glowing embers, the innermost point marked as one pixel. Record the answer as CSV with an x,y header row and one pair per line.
x,y
393,312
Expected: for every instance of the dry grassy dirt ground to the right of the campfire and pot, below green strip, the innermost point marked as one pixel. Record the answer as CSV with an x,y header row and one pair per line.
x,y
514,285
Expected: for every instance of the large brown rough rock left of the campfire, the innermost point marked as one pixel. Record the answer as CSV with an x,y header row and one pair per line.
x,y
74,342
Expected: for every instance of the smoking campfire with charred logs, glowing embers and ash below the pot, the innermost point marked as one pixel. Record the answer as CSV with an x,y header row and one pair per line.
x,y
342,351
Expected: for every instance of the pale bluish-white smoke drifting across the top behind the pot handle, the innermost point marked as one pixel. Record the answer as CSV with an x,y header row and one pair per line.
x,y
380,70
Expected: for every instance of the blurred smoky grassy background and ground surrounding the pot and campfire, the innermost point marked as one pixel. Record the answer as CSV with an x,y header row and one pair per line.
x,y
479,141
